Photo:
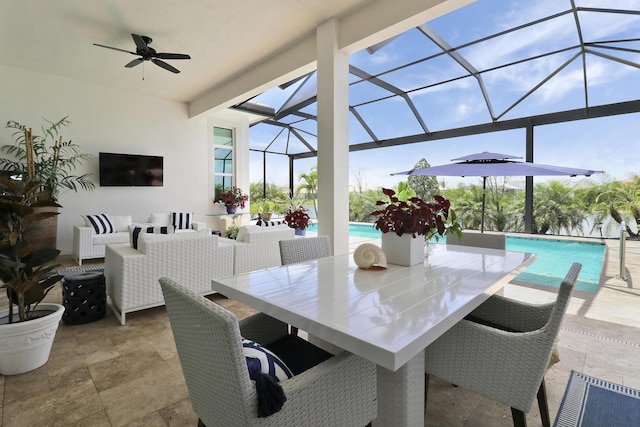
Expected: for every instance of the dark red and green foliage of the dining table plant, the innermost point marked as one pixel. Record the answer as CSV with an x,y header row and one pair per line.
x,y
412,215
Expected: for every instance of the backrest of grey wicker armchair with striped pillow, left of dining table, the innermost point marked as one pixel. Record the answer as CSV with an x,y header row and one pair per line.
x,y
210,350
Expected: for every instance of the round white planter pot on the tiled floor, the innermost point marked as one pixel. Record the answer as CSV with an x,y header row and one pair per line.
x,y
25,346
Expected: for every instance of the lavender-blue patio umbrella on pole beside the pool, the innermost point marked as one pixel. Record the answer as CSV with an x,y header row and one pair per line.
x,y
487,164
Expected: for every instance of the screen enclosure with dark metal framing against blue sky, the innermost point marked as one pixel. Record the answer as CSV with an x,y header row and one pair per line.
x,y
491,67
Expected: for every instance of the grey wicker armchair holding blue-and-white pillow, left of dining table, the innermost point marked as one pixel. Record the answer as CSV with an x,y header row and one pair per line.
x,y
339,391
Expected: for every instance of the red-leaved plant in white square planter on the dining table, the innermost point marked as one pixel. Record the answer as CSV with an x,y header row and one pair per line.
x,y
404,217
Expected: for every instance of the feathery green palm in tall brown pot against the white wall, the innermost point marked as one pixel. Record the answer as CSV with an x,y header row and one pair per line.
x,y
49,160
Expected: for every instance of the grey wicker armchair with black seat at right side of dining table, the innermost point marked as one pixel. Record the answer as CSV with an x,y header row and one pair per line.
x,y
502,350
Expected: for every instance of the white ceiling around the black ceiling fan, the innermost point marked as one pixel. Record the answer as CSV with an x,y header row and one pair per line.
x,y
224,38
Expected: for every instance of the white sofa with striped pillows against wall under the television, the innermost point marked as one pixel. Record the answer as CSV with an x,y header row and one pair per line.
x,y
87,244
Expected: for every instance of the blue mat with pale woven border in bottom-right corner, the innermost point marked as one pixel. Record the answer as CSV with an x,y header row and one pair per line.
x,y
590,402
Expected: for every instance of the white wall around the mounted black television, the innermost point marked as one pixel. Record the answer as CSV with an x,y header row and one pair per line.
x,y
114,121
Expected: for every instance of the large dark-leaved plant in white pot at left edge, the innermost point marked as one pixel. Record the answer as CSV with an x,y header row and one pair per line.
x,y
28,327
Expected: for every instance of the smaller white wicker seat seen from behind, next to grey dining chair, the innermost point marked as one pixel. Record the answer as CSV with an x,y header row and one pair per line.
x,y
258,247
